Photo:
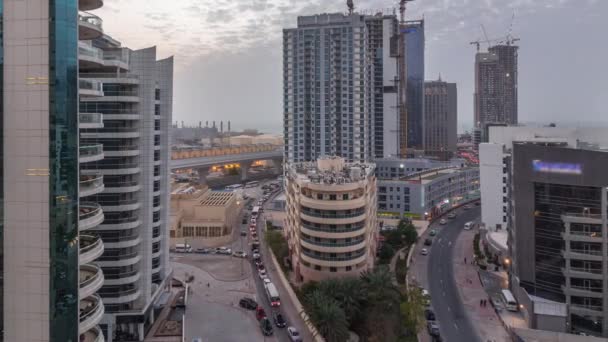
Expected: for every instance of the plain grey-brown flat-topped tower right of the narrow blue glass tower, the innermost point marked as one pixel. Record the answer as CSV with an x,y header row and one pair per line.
x,y
440,119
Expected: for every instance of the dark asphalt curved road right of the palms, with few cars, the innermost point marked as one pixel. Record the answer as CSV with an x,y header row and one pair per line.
x,y
454,322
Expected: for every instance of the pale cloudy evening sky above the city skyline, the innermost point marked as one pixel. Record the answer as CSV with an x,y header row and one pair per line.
x,y
228,54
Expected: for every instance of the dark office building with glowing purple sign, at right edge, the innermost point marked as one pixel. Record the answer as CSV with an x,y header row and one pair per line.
x,y
557,240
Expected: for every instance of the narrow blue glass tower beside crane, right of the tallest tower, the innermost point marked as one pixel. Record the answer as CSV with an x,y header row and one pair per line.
x,y
413,35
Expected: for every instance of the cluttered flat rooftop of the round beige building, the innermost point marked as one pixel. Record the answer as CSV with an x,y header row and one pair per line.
x,y
331,170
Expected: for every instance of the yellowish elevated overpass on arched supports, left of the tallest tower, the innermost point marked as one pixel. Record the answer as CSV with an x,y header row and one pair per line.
x,y
203,160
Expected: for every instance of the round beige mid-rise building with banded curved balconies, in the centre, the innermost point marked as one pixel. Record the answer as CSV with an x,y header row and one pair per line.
x,y
331,225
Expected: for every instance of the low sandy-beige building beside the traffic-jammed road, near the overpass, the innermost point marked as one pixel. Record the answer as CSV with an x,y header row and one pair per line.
x,y
201,217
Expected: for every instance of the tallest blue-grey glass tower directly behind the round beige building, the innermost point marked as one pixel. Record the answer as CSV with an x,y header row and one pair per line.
x,y
340,90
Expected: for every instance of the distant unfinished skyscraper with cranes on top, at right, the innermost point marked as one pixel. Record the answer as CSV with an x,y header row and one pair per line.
x,y
496,86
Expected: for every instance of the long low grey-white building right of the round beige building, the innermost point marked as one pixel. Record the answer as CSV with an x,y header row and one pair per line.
x,y
429,192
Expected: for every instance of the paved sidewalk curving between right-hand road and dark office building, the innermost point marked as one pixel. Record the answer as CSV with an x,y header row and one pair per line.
x,y
471,290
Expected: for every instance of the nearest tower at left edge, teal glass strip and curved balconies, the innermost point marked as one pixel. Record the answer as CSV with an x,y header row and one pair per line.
x,y
49,279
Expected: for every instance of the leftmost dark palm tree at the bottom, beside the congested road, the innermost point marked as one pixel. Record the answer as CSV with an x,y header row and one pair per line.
x,y
328,317
